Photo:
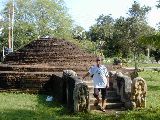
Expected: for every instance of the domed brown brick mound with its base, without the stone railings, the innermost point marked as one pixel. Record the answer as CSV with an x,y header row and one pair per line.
x,y
36,64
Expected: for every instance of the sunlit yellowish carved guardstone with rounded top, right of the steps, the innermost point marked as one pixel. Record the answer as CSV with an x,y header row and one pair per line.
x,y
139,91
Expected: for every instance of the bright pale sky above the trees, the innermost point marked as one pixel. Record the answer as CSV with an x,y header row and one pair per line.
x,y
84,12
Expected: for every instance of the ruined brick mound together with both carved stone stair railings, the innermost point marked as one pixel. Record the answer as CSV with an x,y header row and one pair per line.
x,y
47,66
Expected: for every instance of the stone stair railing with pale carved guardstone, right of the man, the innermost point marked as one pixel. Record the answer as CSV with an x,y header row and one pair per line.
x,y
132,92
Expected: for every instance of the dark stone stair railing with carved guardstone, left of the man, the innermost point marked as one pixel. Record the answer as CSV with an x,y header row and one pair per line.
x,y
77,92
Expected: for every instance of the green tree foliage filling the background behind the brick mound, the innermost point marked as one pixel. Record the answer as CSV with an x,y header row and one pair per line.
x,y
120,37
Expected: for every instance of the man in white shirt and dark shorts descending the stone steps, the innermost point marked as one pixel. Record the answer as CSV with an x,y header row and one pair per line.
x,y
99,75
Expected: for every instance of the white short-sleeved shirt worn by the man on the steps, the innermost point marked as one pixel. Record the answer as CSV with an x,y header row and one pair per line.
x,y
99,76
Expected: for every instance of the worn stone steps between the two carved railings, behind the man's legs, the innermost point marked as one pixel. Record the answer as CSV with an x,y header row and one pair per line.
x,y
112,99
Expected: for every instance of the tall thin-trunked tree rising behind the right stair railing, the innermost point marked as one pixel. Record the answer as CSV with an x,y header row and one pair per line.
x,y
137,27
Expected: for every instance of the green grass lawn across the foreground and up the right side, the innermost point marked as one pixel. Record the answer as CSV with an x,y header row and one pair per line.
x,y
34,107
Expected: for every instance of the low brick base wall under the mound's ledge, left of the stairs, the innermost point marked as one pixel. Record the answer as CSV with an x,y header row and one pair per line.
x,y
13,79
